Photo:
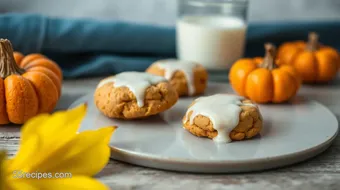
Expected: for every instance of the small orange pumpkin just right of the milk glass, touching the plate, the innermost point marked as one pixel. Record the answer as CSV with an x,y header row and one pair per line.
x,y
262,80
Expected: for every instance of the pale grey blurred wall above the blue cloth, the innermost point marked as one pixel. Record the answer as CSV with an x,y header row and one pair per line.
x,y
163,12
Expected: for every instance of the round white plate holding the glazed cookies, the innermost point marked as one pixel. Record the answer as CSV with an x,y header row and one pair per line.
x,y
292,132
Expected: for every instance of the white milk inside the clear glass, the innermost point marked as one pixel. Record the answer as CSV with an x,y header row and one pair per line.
x,y
214,41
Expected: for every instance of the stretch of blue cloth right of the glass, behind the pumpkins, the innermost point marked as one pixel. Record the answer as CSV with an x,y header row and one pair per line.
x,y
280,32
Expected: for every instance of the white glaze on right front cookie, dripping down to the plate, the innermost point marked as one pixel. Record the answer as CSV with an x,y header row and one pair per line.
x,y
223,110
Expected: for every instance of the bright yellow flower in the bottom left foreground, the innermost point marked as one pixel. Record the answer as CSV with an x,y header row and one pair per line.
x,y
52,150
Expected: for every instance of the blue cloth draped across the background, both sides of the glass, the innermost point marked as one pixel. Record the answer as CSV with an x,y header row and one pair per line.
x,y
85,47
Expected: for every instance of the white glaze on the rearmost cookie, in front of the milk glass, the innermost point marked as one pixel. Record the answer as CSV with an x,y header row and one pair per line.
x,y
172,65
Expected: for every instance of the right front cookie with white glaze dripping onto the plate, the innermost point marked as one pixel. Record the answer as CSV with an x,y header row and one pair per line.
x,y
223,118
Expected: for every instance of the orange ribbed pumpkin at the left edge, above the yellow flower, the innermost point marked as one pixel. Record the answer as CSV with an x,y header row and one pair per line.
x,y
27,87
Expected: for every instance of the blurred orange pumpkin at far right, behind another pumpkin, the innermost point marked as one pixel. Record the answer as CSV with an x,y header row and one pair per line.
x,y
316,63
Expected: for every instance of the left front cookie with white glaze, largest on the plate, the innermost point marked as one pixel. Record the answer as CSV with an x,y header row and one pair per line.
x,y
131,95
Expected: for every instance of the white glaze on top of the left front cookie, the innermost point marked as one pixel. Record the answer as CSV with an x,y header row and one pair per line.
x,y
137,82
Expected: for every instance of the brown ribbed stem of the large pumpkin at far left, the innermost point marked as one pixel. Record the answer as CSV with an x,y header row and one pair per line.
x,y
8,65
